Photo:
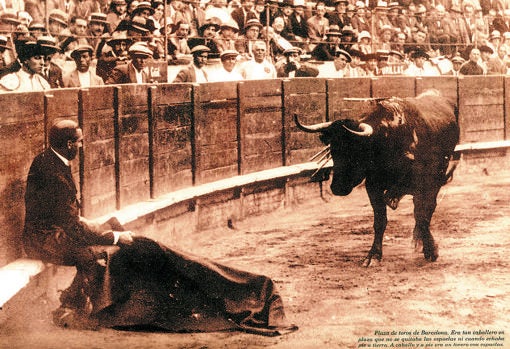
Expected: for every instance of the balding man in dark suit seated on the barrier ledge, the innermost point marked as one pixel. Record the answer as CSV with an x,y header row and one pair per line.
x,y
54,230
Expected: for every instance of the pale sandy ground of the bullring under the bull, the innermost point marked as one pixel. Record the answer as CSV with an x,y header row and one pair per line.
x,y
314,251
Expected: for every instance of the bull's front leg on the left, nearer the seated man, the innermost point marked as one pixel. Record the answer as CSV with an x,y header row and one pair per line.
x,y
380,222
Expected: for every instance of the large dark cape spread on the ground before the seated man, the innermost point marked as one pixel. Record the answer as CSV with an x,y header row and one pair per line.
x,y
150,285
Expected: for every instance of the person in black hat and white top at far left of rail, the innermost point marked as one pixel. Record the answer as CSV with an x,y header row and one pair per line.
x,y
28,78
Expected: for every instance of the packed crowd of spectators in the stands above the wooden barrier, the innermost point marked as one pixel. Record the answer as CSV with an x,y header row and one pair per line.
x,y
80,43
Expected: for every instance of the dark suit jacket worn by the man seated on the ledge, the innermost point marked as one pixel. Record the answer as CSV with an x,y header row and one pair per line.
x,y
54,231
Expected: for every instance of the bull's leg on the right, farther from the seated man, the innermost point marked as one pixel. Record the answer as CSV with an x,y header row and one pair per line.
x,y
424,206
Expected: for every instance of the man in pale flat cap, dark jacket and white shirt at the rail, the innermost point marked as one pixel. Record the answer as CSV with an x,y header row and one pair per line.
x,y
136,70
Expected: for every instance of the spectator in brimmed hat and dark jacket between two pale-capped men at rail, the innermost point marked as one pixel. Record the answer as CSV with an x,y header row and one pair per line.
x,y
119,44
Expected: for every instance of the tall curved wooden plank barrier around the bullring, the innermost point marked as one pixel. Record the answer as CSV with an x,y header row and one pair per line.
x,y
147,141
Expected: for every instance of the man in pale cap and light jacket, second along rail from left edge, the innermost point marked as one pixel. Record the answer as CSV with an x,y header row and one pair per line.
x,y
82,76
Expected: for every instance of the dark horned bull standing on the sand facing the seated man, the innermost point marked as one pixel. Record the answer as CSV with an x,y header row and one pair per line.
x,y
399,147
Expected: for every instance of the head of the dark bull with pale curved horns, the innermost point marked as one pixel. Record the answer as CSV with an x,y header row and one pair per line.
x,y
349,141
